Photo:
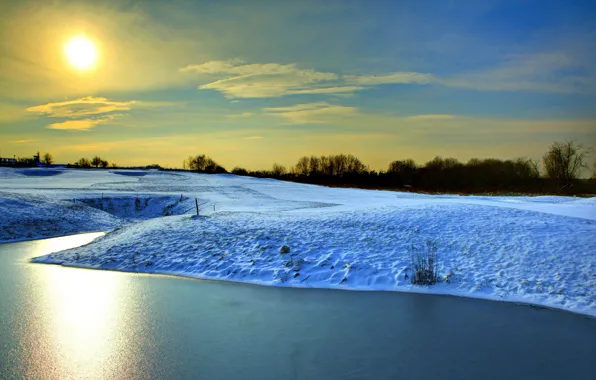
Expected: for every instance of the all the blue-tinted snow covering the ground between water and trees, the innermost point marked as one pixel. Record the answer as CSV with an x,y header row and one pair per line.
x,y
536,250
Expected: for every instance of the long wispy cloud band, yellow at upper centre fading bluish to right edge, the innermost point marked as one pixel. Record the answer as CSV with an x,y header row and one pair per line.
x,y
544,72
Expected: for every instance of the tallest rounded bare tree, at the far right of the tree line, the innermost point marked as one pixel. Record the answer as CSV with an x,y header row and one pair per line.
x,y
564,161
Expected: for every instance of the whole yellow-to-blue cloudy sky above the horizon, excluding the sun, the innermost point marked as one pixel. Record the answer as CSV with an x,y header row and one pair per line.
x,y
251,83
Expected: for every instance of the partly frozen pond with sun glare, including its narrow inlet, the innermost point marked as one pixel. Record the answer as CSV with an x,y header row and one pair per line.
x,y
61,323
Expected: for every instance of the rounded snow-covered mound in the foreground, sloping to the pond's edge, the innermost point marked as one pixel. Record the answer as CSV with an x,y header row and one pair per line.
x,y
487,252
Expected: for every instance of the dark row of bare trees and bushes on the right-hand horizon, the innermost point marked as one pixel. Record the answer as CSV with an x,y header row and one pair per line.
x,y
562,165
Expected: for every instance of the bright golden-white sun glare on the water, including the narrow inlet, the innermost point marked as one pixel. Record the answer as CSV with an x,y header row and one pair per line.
x,y
85,312
